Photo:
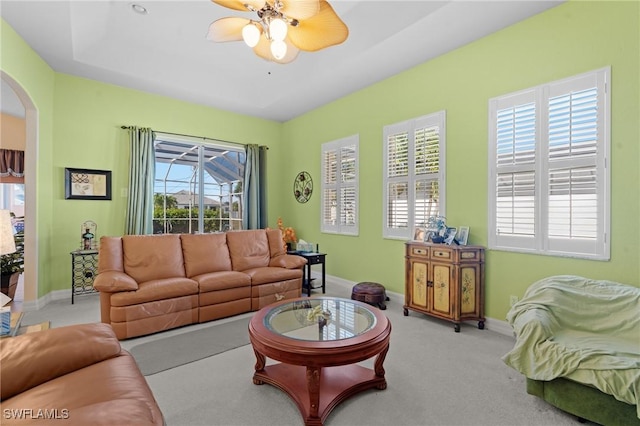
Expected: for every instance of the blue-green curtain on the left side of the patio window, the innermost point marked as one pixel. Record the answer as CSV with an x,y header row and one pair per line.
x,y
142,165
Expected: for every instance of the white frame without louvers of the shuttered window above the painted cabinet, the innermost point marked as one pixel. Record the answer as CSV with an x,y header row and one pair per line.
x,y
410,127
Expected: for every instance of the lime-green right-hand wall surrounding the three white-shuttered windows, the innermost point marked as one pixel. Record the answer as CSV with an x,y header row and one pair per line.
x,y
570,39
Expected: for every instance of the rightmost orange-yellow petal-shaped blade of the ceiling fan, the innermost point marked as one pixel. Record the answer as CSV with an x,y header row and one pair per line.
x,y
322,30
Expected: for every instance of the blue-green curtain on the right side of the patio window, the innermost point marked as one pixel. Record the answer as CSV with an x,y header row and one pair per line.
x,y
254,214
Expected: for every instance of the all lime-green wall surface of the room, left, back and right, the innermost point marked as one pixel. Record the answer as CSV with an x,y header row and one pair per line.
x,y
79,126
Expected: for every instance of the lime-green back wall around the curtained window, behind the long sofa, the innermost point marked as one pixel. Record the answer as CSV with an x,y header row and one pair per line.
x,y
88,134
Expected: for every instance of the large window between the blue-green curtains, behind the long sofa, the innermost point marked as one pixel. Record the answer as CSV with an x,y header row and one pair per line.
x,y
198,185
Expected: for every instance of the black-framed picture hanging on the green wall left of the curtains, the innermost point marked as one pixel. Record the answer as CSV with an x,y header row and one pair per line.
x,y
87,184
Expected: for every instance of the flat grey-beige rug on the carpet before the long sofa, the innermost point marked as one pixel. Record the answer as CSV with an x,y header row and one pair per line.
x,y
176,350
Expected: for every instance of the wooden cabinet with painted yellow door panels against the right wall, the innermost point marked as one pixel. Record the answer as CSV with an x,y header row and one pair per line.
x,y
445,281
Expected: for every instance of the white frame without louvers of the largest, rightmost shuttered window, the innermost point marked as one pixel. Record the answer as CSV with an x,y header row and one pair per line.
x,y
538,238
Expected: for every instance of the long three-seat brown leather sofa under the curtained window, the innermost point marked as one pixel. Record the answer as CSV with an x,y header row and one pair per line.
x,y
151,283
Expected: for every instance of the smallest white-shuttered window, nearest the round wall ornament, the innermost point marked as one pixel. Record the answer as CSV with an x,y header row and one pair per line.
x,y
340,186
